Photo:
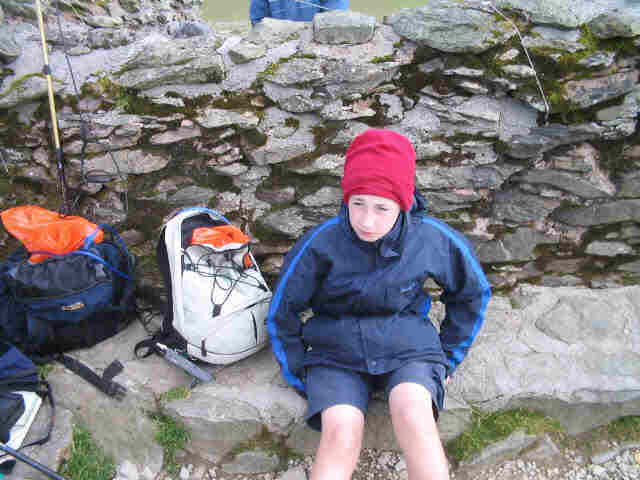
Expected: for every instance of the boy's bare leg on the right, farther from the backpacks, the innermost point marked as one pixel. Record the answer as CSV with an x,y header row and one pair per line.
x,y
417,433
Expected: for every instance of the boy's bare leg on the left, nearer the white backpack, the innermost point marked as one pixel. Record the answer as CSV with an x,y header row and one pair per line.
x,y
340,443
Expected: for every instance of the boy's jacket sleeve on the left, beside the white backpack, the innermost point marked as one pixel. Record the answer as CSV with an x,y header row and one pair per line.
x,y
296,286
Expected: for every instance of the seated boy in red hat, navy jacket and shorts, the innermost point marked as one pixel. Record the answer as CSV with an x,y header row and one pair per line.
x,y
362,274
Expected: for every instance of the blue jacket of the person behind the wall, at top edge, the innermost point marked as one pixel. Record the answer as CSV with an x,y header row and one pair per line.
x,y
297,10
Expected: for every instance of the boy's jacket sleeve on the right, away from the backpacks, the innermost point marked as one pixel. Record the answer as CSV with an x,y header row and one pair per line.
x,y
466,295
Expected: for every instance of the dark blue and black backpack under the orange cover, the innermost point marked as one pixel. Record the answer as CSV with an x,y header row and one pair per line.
x,y
68,302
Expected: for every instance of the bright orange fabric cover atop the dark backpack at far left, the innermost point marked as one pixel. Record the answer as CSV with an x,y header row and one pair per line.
x,y
40,229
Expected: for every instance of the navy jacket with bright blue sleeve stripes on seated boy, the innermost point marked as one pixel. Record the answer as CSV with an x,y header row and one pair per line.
x,y
370,312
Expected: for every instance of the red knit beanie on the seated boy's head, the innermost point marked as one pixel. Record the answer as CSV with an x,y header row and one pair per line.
x,y
383,163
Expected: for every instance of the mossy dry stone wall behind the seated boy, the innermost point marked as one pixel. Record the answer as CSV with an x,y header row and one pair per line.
x,y
524,116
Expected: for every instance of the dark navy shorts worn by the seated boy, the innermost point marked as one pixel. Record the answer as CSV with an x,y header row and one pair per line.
x,y
329,386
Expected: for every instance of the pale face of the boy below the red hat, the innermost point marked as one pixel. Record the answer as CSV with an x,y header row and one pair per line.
x,y
371,216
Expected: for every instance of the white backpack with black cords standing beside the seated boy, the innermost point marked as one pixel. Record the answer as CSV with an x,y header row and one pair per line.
x,y
218,299
